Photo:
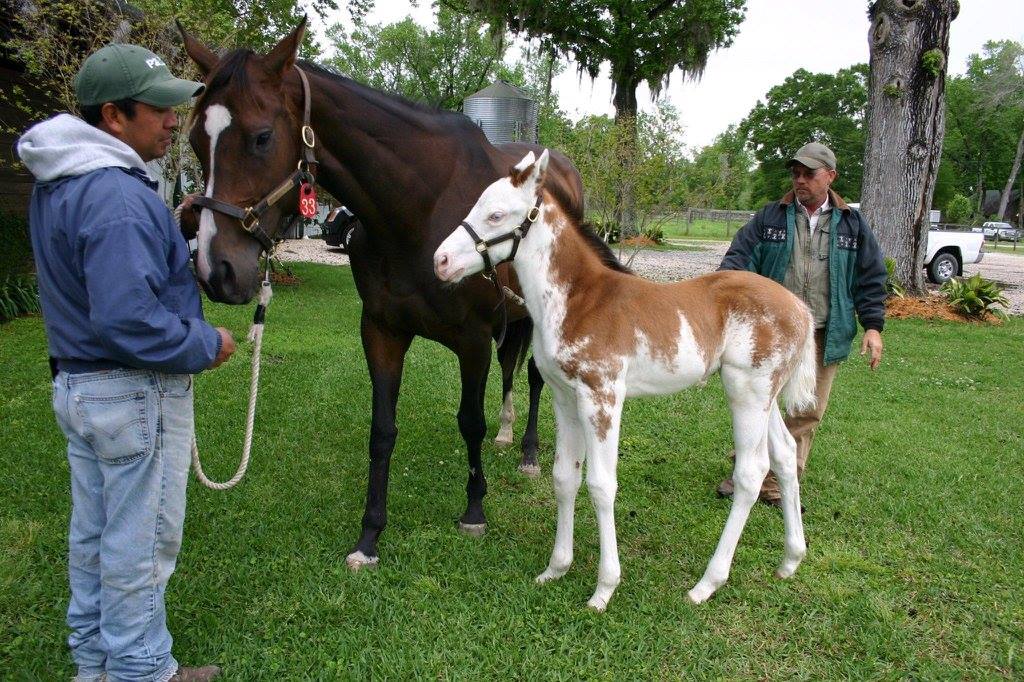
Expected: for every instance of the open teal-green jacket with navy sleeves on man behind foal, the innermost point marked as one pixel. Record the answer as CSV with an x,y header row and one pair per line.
x,y
857,269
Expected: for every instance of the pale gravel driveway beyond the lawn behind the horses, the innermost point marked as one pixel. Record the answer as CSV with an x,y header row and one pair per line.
x,y
1008,270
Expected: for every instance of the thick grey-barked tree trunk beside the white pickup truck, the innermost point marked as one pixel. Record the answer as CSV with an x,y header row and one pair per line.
x,y
909,45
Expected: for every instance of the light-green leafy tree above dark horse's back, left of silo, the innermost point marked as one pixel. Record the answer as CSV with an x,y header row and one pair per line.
x,y
439,67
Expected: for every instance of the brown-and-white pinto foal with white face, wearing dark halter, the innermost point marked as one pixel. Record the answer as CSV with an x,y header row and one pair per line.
x,y
603,334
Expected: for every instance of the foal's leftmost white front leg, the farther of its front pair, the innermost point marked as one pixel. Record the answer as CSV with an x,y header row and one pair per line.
x,y
570,453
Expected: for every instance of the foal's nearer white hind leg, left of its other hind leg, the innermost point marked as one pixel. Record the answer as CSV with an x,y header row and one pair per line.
x,y
750,401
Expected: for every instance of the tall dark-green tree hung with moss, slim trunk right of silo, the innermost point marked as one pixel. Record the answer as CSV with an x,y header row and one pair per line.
x,y
646,41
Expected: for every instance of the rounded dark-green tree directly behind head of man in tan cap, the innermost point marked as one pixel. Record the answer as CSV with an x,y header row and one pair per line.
x,y
823,108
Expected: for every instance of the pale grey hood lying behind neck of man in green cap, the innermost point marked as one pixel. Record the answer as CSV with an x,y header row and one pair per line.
x,y
67,146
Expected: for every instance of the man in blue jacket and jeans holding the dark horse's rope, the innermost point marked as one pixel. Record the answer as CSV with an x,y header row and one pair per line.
x,y
126,333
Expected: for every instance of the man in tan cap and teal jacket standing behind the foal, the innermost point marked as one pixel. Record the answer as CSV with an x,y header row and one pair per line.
x,y
825,252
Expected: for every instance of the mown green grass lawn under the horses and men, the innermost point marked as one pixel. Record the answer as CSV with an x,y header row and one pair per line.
x,y
915,521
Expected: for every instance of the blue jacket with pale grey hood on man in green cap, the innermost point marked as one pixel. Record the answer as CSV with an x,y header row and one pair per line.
x,y
113,268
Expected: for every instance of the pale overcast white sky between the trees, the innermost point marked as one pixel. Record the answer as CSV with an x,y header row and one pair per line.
x,y
767,51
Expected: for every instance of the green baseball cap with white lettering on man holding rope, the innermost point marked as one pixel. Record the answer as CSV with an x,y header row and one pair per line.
x,y
131,72
